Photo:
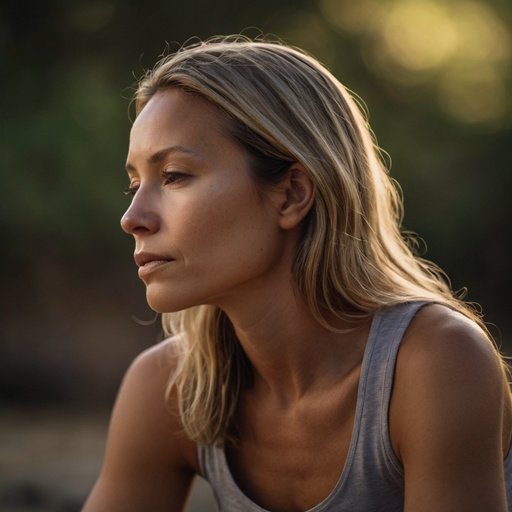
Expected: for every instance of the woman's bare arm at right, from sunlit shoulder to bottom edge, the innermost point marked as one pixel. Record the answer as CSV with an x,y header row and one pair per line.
x,y
448,412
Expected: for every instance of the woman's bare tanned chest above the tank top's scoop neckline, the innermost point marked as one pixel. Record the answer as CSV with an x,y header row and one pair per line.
x,y
291,461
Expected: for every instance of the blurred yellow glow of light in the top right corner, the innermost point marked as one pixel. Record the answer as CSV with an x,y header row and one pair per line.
x,y
462,49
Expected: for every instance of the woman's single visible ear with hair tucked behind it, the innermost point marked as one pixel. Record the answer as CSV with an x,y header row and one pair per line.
x,y
296,198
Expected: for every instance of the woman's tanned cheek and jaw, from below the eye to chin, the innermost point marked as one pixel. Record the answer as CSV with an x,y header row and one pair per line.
x,y
223,245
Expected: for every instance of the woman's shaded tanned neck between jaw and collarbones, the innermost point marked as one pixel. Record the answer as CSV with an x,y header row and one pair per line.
x,y
292,354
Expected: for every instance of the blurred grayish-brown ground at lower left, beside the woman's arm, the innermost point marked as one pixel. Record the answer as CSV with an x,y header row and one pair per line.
x,y
49,459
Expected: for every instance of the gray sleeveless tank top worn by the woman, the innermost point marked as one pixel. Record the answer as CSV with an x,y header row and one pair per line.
x,y
372,479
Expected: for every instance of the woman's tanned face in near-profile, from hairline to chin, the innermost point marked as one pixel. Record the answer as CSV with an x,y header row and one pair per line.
x,y
203,233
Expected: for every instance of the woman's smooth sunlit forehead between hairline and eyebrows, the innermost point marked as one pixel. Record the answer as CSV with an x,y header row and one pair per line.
x,y
177,117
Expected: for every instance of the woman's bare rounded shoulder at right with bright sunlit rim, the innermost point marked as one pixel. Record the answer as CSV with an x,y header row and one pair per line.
x,y
445,351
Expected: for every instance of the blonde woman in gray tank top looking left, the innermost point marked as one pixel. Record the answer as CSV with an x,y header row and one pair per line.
x,y
316,363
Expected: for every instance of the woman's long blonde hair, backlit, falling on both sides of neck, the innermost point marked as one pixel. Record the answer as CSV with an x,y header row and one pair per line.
x,y
283,106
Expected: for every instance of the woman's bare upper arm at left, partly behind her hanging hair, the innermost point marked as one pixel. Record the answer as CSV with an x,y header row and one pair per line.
x,y
149,463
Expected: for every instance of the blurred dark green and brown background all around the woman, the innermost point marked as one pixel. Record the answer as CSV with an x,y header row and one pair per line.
x,y
435,76
